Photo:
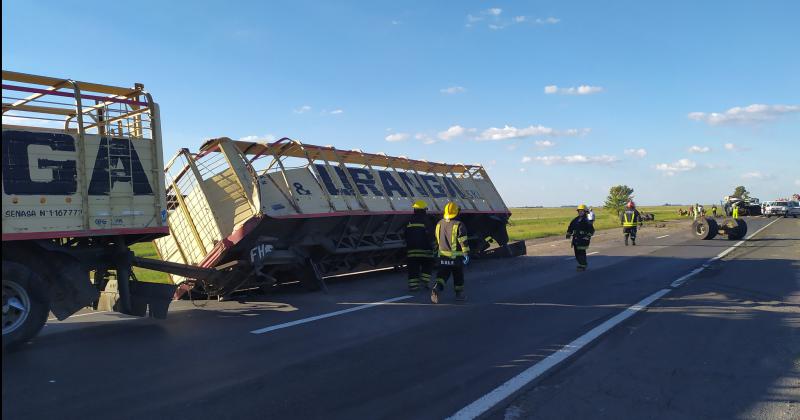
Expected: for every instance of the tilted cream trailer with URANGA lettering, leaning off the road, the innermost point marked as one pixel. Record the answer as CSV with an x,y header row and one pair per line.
x,y
286,211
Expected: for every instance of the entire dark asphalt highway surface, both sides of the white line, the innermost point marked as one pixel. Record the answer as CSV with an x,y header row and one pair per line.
x,y
723,344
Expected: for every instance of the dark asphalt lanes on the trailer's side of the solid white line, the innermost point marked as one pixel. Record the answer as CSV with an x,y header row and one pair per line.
x,y
400,359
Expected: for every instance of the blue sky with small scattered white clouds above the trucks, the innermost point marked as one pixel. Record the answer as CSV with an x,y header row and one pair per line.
x,y
558,99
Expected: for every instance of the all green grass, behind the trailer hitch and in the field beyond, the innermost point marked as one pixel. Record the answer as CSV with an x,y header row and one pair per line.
x,y
526,223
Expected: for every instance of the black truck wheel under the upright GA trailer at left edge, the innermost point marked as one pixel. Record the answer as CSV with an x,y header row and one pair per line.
x,y
25,304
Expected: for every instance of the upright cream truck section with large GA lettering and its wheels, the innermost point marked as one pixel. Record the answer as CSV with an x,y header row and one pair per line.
x,y
82,180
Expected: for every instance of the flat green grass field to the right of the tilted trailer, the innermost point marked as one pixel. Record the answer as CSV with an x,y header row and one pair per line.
x,y
530,223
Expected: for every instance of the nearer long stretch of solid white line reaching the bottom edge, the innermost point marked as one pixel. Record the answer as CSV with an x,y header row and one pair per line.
x,y
483,404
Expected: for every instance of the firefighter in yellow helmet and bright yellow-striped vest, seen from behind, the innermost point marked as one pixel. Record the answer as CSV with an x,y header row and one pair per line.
x,y
453,253
